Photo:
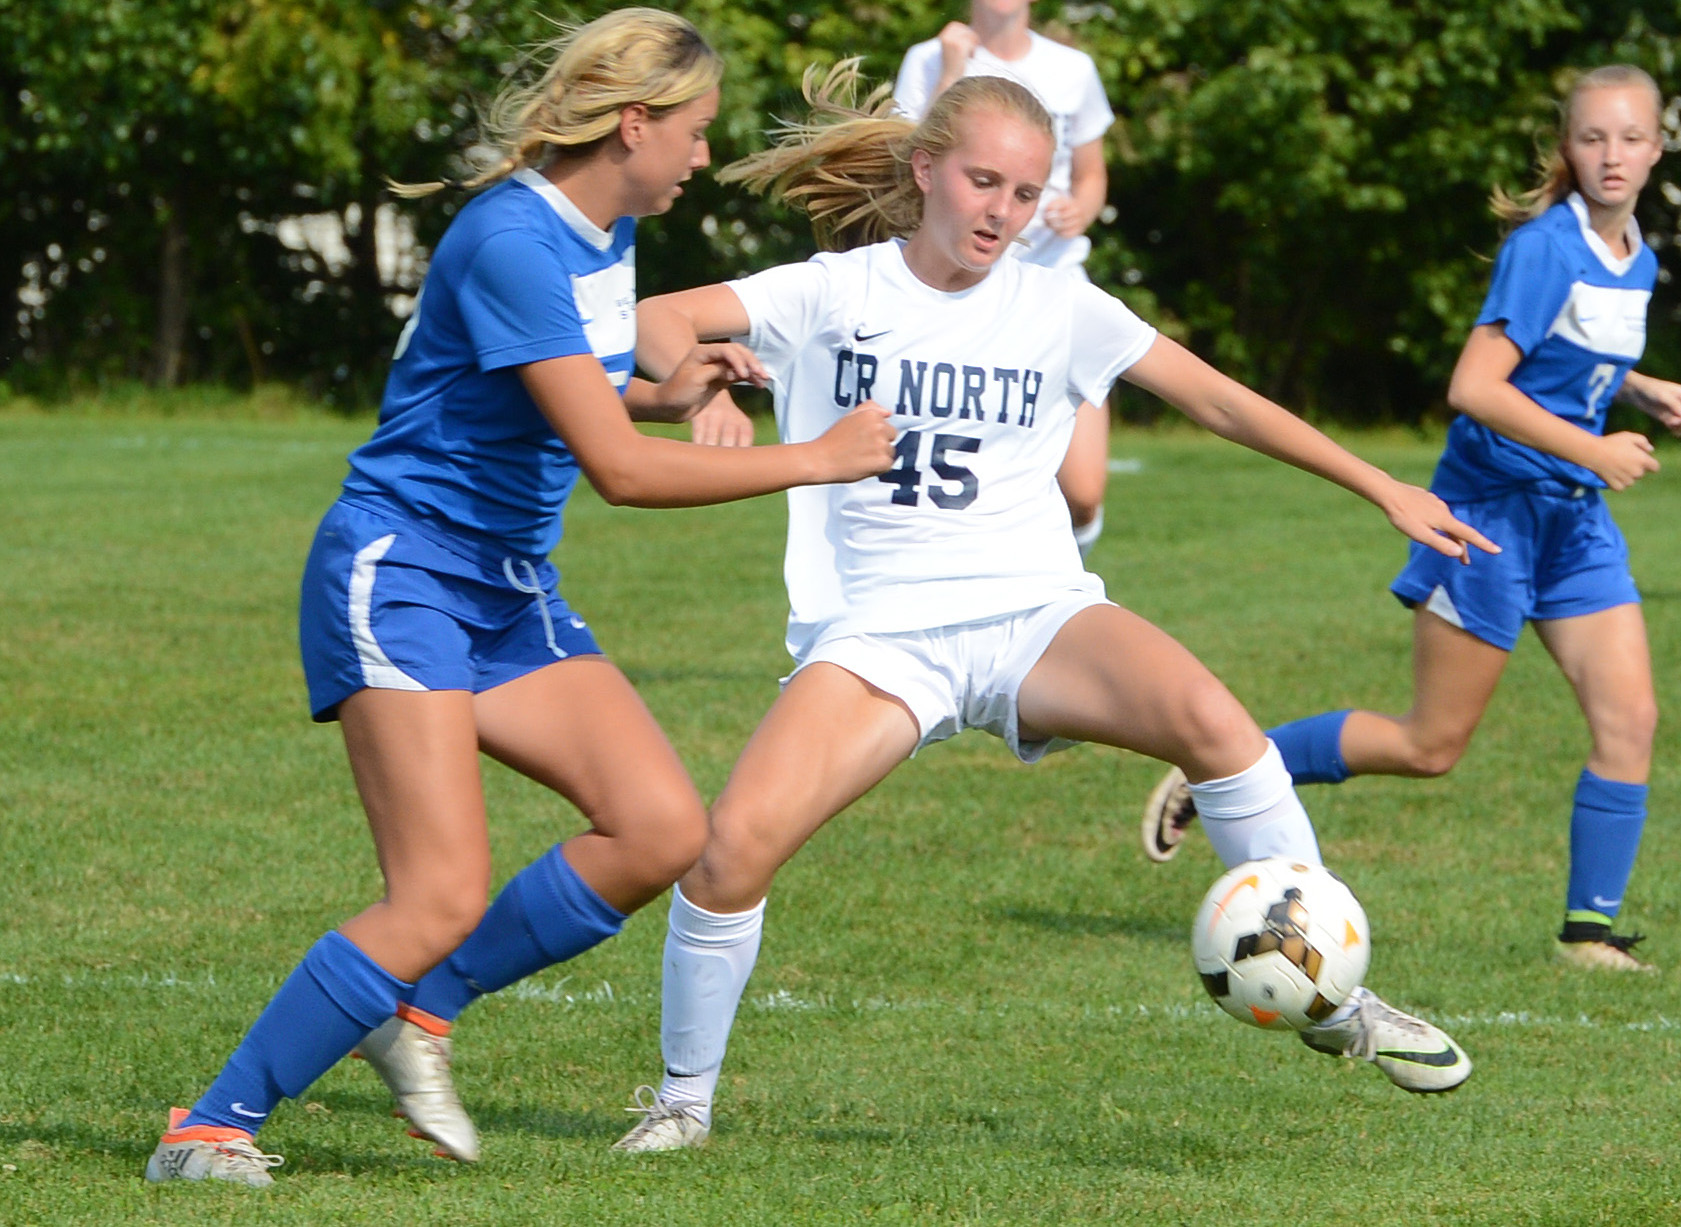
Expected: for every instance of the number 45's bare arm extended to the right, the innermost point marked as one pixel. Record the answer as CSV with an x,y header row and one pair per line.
x,y
1246,418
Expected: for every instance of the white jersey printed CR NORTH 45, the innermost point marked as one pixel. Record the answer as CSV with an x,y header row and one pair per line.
x,y
969,524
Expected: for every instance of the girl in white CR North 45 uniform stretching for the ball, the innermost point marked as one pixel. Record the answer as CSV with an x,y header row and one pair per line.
x,y
947,592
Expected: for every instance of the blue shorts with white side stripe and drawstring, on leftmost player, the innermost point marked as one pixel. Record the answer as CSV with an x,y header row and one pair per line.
x,y
389,604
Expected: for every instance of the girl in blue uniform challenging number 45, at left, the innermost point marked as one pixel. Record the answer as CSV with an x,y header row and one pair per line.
x,y
431,623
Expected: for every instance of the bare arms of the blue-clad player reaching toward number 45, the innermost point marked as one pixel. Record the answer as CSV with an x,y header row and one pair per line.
x,y
635,470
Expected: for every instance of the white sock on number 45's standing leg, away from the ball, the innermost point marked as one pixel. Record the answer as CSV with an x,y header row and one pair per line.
x,y
709,961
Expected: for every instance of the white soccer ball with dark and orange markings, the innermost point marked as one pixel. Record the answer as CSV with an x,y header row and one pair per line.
x,y
1280,944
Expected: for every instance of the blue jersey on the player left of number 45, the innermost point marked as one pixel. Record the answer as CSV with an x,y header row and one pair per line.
x,y
520,276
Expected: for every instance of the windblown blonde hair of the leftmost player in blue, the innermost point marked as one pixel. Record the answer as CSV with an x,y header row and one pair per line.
x,y
633,56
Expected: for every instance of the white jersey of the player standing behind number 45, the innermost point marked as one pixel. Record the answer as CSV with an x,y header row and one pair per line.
x,y
1067,82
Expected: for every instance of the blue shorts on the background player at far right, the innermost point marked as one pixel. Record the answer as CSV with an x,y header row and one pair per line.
x,y
1562,556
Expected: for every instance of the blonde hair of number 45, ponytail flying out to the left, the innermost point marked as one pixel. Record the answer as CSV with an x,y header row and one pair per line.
x,y
848,166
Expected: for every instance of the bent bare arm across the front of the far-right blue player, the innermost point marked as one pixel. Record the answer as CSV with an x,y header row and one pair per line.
x,y
1482,389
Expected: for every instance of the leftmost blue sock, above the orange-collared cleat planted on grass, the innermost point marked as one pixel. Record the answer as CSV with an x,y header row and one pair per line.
x,y
330,1001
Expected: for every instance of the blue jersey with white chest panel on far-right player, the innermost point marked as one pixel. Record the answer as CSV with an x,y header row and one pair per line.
x,y
1579,317
